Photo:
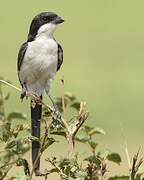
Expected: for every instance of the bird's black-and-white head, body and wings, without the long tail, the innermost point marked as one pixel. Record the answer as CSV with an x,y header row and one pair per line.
x,y
41,56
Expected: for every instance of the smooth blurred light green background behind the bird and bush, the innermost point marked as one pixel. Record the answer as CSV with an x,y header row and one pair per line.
x,y
103,44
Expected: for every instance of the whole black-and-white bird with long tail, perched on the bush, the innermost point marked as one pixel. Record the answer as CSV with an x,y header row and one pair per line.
x,y
39,59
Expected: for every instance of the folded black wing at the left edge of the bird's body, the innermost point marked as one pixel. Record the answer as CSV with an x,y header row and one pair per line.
x,y
21,54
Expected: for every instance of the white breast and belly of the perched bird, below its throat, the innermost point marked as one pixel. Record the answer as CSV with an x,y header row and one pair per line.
x,y
39,64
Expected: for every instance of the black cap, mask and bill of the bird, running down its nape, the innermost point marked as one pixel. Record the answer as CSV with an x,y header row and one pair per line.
x,y
40,20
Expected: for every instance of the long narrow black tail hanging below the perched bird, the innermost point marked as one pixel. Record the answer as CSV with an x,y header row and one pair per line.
x,y
36,113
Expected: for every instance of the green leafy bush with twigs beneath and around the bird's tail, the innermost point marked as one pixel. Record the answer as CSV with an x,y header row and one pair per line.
x,y
16,140
